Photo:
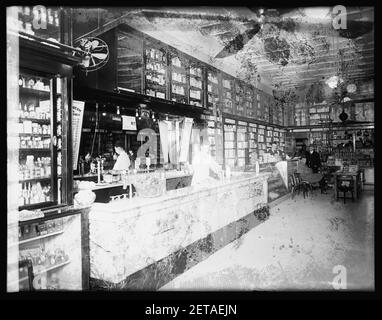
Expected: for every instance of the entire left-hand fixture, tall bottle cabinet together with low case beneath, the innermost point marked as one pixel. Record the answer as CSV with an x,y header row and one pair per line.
x,y
40,169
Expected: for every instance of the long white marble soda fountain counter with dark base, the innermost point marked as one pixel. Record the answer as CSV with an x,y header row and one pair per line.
x,y
132,241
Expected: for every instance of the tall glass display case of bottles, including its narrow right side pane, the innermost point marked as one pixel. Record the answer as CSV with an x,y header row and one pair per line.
x,y
40,141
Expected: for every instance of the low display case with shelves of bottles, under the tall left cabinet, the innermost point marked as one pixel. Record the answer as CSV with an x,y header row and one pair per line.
x,y
54,254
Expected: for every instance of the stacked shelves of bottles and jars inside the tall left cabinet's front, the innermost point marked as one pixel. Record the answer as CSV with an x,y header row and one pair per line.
x,y
35,132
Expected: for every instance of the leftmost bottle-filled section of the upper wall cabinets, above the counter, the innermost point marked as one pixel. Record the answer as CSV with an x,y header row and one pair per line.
x,y
155,72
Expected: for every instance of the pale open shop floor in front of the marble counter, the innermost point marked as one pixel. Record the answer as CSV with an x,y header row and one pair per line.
x,y
295,249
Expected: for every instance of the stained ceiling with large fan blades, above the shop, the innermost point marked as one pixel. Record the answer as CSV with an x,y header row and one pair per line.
x,y
286,47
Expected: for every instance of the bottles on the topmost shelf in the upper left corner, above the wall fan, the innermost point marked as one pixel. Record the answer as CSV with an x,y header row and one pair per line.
x,y
48,19
